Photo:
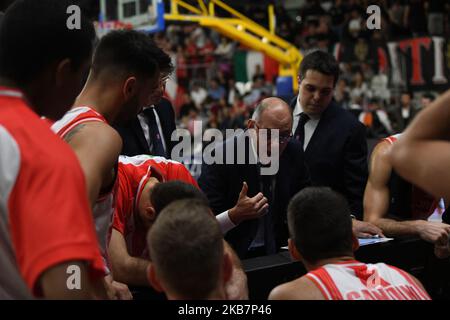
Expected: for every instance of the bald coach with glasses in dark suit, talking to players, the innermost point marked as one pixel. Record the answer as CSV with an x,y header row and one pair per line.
x,y
222,183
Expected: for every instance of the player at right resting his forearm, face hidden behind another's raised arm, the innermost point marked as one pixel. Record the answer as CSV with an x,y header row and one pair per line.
x,y
395,205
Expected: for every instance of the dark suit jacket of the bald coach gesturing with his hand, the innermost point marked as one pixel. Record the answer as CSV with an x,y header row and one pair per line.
x,y
222,184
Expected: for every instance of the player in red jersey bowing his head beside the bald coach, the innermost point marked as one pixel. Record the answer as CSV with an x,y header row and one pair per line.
x,y
140,197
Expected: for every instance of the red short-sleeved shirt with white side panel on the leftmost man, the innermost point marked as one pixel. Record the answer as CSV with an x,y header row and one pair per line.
x,y
45,218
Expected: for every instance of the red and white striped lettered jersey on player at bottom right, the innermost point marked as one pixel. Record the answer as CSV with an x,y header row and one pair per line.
x,y
354,280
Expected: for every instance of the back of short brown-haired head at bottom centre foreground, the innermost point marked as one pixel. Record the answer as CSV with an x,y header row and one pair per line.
x,y
187,251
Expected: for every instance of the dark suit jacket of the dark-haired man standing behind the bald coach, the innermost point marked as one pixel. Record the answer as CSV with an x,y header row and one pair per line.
x,y
336,155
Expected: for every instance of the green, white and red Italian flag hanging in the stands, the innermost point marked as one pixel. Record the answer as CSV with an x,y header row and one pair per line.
x,y
245,63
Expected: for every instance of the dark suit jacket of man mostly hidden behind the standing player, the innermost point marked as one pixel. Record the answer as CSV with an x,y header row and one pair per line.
x,y
134,142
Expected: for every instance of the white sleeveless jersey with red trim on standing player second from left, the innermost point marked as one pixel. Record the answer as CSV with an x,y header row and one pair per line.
x,y
103,210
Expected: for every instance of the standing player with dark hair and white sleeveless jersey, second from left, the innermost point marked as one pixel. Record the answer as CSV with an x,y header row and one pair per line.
x,y
123,78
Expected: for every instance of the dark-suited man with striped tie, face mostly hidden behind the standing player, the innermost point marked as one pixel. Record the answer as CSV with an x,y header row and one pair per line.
x,y
151,130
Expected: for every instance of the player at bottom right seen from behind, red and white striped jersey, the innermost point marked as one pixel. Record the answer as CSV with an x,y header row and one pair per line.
x,y
322,238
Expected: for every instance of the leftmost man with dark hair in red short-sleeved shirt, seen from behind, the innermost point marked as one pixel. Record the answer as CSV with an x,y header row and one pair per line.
x,y
46,229
